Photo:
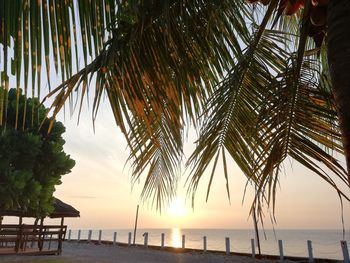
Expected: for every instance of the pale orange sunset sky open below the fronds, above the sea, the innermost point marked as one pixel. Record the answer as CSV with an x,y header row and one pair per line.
x,y
100,187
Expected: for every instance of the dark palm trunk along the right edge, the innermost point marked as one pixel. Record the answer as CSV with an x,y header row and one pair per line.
x,y
339,63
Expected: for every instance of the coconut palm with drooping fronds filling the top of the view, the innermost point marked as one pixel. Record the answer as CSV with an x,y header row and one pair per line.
x,y
254,82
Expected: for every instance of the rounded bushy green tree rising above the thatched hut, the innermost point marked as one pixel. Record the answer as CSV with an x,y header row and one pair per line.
x,y
31,160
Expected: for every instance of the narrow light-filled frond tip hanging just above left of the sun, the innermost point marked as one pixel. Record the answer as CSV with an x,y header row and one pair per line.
x,y
161,153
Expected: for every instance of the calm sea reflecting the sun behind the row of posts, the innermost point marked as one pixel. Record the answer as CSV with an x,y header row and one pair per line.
x,y
326,243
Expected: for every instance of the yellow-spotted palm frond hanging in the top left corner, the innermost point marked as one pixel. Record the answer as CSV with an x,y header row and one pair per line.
x,y
33,30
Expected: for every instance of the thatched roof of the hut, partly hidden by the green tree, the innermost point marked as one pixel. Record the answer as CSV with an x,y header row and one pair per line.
x,y
61,209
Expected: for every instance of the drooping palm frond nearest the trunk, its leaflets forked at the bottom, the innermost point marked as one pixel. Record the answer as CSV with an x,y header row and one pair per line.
x,y
299,123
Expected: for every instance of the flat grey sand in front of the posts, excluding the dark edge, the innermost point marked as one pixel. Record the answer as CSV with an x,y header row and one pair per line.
x,y
87,252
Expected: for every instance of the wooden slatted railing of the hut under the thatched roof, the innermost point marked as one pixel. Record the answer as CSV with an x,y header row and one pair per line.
x,y
37,239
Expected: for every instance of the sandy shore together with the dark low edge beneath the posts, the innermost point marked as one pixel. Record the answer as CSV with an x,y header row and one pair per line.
x,y
93,251
